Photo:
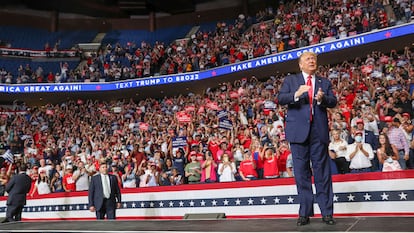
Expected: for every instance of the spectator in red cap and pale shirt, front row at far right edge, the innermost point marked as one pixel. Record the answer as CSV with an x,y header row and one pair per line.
x,y
398,138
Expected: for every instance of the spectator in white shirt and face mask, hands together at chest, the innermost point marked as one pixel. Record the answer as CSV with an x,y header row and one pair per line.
x,y
359,154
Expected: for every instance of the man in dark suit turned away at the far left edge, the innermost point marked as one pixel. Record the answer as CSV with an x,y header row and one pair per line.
x,y
17,189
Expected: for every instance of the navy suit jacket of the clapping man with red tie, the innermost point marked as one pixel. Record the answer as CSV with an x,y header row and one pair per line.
x,y
298,114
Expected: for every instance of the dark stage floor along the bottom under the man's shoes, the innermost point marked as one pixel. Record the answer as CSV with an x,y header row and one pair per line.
x,y
355,224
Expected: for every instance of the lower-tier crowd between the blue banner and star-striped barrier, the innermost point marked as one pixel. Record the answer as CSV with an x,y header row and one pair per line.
x,y
230,133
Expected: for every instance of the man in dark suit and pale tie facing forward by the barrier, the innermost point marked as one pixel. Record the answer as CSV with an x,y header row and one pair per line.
x,y
104,194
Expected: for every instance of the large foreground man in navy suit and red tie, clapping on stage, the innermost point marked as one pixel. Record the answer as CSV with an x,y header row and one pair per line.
x,y
307,97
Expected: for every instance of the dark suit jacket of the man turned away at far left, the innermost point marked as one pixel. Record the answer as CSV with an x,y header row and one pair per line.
x,y
17,188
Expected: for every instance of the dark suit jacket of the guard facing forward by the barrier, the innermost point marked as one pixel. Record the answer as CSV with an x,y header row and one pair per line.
x,y
96,197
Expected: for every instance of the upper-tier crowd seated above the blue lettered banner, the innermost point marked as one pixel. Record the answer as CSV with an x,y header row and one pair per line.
x,y
292,25
